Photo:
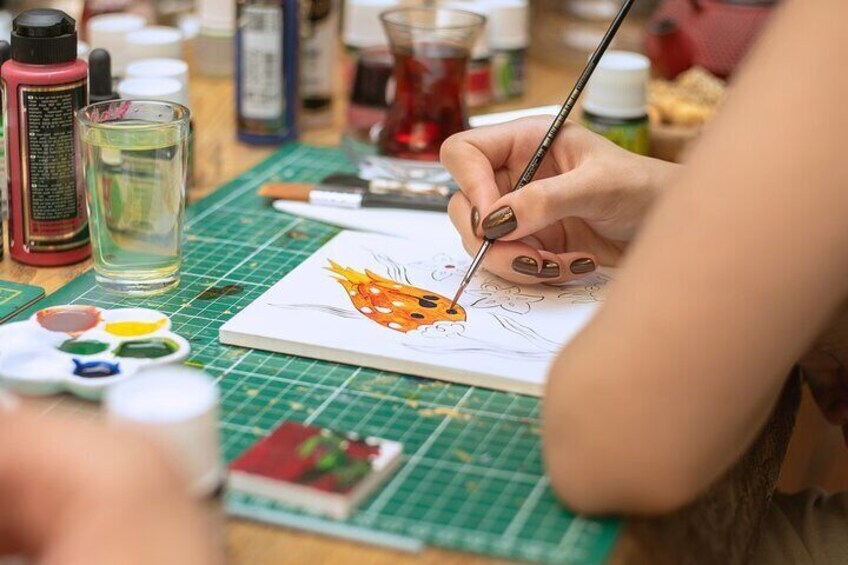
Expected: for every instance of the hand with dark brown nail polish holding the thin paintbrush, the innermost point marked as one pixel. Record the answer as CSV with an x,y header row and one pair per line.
x,y
587,201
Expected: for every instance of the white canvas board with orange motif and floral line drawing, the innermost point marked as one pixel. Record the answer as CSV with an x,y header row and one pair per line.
x,y
384,302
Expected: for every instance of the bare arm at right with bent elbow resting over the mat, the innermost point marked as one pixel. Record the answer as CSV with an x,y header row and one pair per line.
x,y
736,273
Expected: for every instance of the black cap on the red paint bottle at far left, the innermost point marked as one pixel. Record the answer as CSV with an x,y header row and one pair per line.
x,y
44,37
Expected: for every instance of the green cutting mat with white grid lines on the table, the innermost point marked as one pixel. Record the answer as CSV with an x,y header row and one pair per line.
x,y
472,477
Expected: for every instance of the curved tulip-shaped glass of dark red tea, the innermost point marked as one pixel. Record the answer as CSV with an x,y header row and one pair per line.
x,y
431,48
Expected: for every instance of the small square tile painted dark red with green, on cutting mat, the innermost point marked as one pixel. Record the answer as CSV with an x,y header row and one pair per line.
x,y
316,469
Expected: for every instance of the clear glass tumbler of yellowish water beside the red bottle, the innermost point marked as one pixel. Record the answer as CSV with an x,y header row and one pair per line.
x,y
134,157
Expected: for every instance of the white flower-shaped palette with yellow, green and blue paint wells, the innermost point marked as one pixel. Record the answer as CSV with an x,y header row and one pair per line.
x,y
85,349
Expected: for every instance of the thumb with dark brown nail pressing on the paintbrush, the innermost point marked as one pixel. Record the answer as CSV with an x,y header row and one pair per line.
x,y
534,207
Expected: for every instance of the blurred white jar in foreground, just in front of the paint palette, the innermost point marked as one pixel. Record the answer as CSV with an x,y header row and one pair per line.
x,y
178,408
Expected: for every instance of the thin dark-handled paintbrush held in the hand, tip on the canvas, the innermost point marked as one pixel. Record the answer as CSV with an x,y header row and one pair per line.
x,y
547,141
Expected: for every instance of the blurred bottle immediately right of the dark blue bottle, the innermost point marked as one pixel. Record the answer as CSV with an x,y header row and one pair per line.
x,y
317,60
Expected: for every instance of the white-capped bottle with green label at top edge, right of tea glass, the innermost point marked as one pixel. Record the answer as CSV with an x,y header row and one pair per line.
x,y
507,30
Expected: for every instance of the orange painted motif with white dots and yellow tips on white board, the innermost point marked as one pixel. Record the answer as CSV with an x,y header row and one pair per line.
x,y
396,306
